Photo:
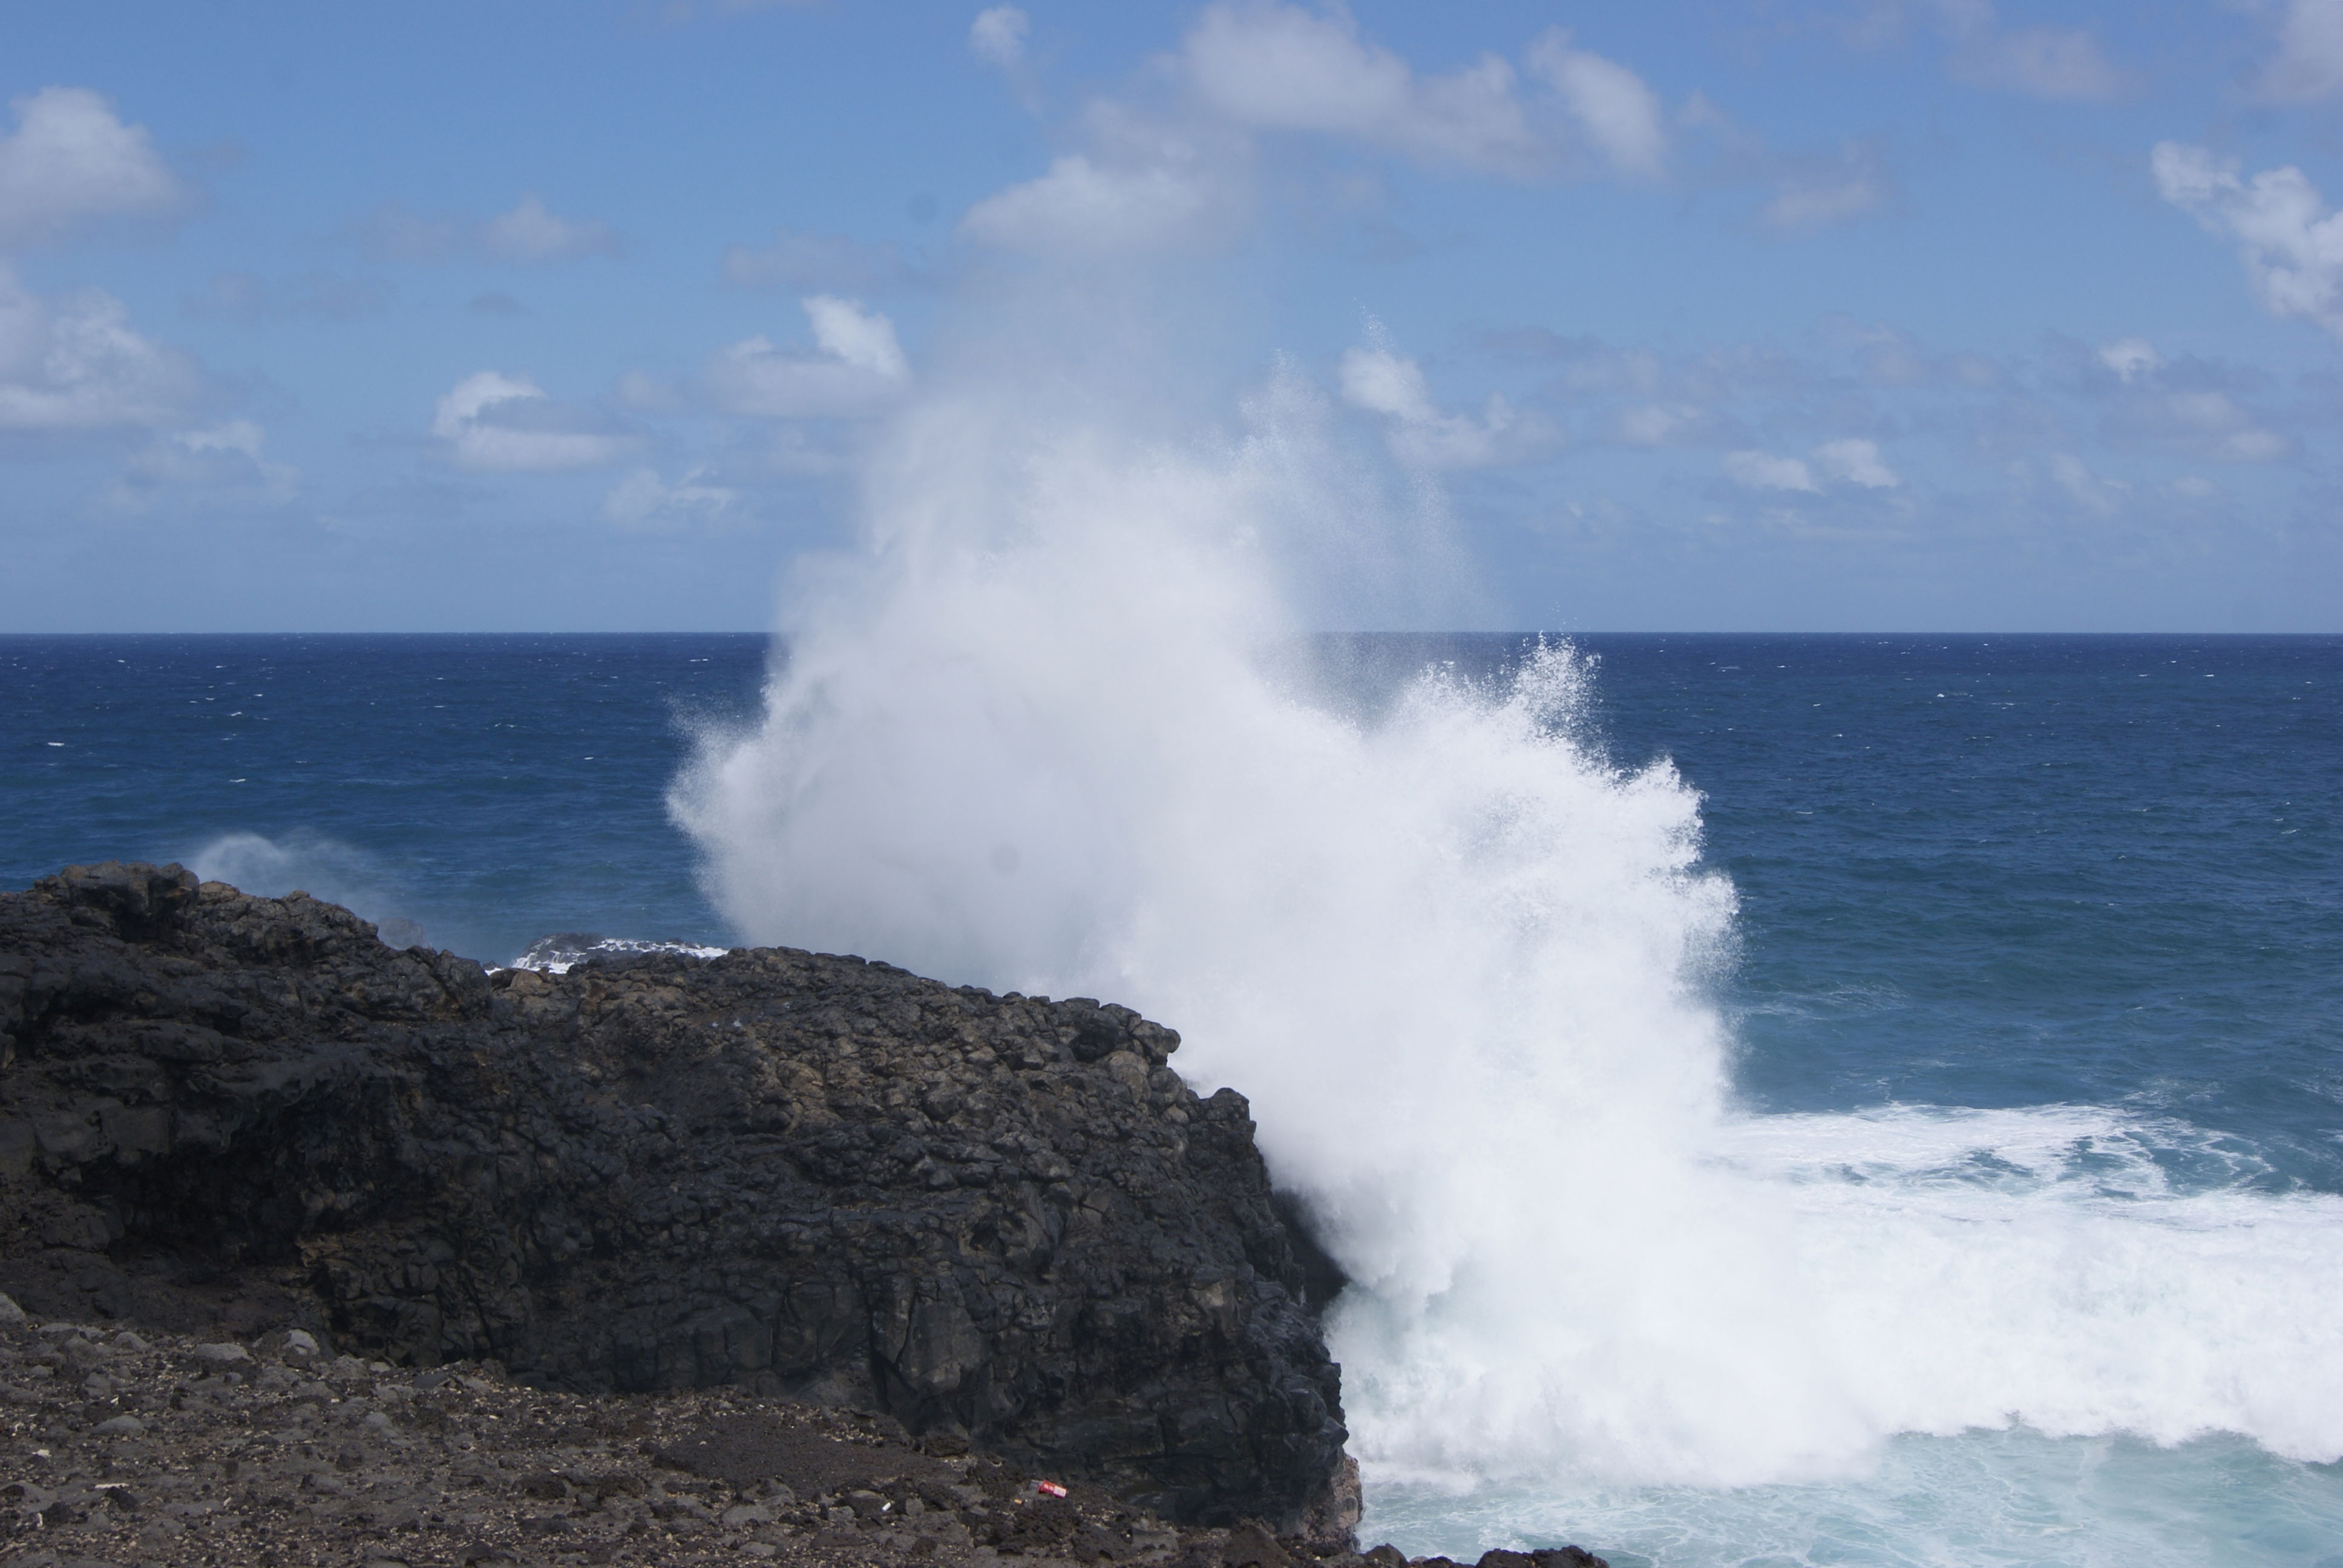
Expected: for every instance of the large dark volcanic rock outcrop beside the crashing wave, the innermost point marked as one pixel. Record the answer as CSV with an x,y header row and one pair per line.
x,y
992,1218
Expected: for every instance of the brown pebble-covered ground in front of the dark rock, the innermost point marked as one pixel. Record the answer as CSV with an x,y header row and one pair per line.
x,y
139,1447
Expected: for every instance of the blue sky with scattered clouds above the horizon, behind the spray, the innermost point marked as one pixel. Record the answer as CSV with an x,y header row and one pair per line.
x,y
1700,318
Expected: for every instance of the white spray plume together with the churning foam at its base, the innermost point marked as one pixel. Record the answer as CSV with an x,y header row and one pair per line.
x,y
1459,967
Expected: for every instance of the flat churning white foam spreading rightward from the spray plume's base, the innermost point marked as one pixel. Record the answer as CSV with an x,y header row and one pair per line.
x,y
1831,1281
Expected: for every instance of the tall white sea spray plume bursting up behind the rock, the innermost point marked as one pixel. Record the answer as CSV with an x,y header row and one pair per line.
x,y
1025,739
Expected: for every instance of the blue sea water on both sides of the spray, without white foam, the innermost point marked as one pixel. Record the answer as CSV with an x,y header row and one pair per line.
x,y
2086,880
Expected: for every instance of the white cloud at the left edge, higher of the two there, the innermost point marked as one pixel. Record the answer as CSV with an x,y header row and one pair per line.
x,y
71,165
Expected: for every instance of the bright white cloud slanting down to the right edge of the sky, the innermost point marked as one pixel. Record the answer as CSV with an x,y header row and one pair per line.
x,y
2290,245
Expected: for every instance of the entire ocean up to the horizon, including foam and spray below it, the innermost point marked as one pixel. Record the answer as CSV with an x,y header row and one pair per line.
x,y
1784,1098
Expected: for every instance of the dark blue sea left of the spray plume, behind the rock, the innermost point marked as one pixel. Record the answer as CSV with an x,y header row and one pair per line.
x,y
486,791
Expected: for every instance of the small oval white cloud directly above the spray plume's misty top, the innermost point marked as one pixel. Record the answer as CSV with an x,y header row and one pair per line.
x,y
1091,210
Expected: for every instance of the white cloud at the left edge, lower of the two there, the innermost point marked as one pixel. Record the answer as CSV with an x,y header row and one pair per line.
x,y
74,364
